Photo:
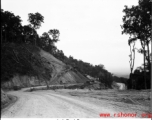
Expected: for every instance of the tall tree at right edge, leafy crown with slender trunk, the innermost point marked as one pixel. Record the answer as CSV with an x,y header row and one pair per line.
x,y
137,23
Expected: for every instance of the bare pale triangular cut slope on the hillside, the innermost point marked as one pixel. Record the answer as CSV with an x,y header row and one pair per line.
x,y
61,73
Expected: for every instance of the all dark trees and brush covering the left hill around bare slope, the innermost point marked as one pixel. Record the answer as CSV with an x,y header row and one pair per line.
x,y
20,43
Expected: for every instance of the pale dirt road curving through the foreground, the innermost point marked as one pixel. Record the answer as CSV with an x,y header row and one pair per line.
x,y
60,104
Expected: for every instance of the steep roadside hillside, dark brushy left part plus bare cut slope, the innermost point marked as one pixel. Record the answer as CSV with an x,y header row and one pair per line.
x,y
27,65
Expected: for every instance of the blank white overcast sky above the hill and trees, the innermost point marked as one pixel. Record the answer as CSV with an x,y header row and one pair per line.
x,y
89,29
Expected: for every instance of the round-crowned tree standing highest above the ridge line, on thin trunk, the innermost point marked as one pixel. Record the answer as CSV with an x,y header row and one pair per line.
x,y
35,20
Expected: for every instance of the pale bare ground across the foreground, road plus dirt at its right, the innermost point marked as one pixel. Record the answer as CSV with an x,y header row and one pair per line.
x,y
66,103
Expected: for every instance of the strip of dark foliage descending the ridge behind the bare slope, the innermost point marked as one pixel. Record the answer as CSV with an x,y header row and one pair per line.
x,y
97,71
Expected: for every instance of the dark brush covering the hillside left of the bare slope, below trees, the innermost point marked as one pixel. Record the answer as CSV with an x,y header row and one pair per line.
x,y
20,59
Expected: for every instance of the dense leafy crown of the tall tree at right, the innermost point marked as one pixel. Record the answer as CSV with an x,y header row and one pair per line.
x,y
137,21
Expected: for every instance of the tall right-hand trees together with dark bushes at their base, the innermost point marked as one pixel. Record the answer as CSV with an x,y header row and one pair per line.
x,y
137,23
